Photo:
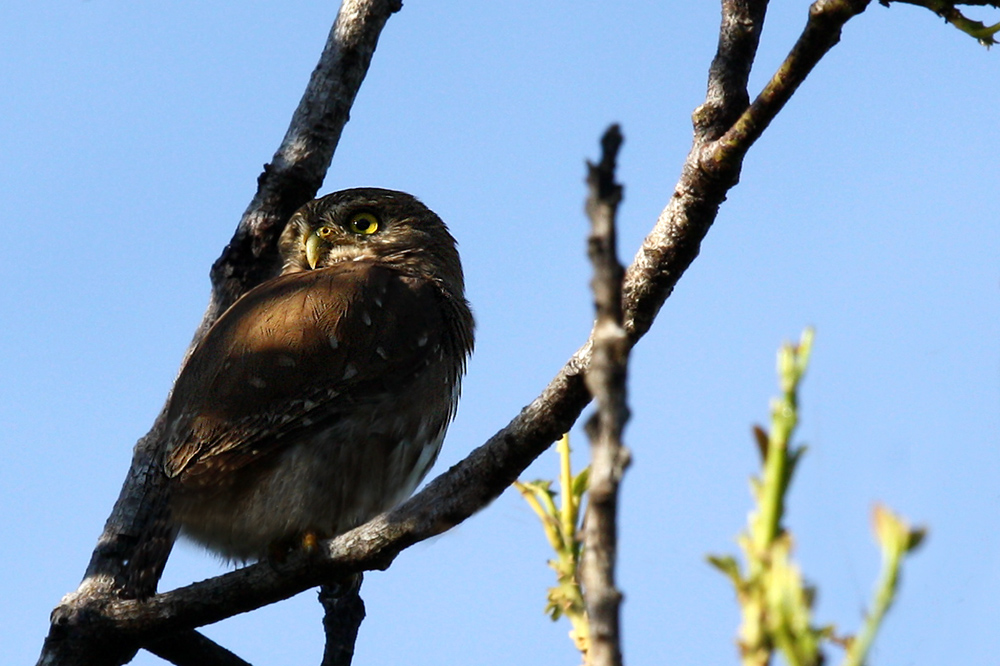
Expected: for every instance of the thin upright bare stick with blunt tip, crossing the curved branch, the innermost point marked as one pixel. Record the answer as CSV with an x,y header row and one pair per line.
x,y
605,380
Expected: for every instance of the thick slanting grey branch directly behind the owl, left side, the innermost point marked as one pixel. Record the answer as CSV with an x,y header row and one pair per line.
x,y
293,177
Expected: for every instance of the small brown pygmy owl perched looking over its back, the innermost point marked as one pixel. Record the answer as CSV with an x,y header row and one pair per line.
x,y
321,397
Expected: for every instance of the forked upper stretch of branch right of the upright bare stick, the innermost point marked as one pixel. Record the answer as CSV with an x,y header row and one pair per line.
x,y
713,165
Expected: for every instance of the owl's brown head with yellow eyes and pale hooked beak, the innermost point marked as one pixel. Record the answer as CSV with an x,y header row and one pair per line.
x,y
371,224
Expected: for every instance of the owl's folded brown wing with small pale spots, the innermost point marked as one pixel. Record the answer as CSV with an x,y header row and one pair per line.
x,y
297,348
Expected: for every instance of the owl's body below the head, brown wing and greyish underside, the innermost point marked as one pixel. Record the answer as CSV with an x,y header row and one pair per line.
x,y
330,410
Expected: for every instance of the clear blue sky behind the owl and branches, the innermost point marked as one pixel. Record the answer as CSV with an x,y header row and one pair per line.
x,y
132,136
